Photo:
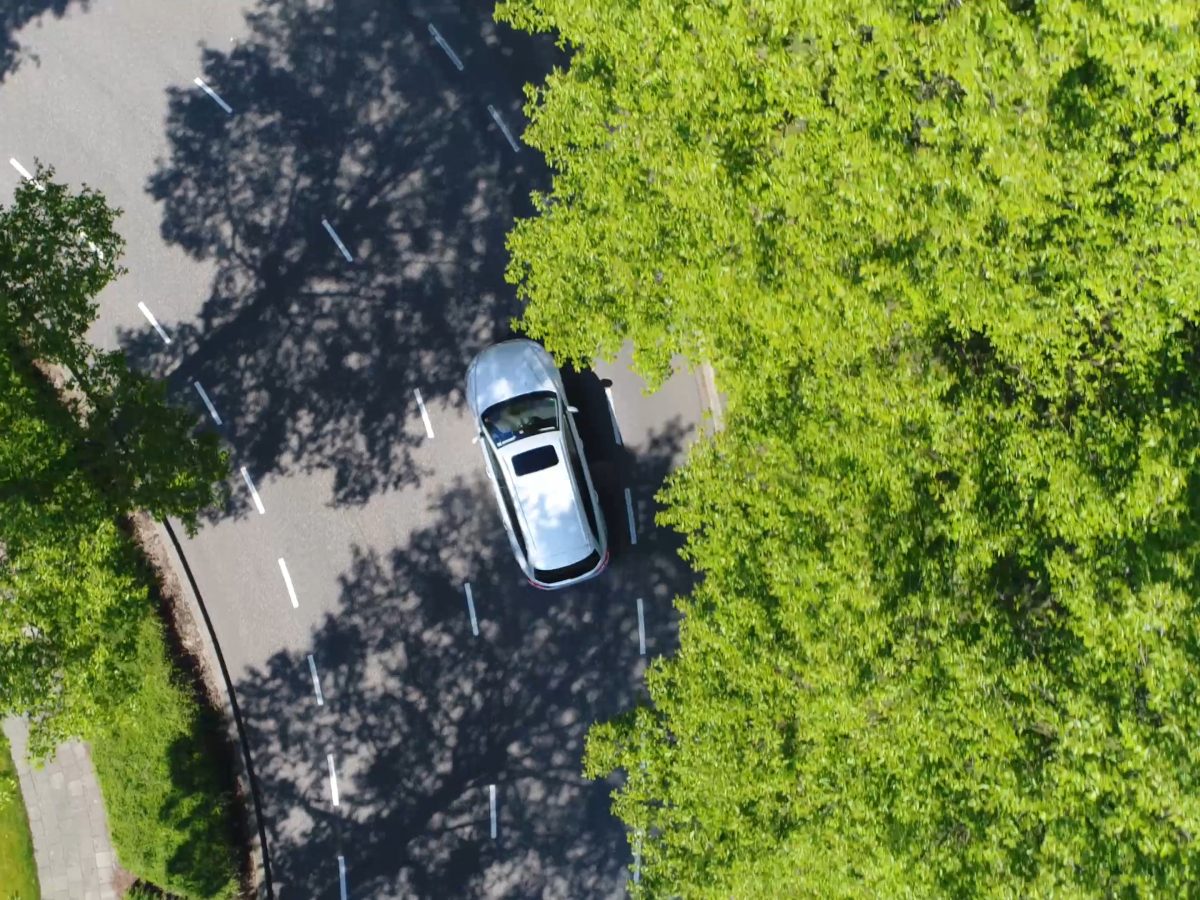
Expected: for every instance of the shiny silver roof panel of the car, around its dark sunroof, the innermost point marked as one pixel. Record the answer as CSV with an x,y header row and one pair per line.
x,y
549,502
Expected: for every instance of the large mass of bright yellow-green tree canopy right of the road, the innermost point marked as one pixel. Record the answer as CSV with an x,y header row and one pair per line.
x,y
944,259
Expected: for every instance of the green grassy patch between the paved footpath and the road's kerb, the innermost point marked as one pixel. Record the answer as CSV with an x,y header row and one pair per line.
x,y
166,790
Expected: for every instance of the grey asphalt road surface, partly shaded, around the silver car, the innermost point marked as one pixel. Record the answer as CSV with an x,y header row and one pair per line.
x,y
352,113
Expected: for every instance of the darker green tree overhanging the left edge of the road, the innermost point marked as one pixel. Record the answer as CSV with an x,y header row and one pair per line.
x,y
57,251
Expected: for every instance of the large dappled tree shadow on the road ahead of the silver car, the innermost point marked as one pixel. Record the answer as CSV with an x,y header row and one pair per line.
x,y
346,113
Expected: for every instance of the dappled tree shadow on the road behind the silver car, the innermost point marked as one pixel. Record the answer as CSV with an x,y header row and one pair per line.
x,y
422,716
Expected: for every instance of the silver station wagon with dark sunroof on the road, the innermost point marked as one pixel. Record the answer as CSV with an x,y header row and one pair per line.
x,y
535,459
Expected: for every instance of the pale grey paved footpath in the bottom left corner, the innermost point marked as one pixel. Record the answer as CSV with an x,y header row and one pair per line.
x,y
67,815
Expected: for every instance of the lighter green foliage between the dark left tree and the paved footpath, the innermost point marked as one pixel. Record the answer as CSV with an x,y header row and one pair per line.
x,y
75,601
